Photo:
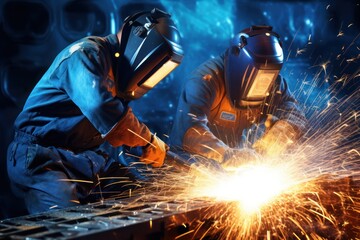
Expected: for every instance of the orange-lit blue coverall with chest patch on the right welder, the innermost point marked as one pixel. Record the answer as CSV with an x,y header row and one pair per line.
x,y
206,122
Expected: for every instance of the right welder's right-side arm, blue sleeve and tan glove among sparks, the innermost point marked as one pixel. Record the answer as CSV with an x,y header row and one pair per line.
x,y
287,126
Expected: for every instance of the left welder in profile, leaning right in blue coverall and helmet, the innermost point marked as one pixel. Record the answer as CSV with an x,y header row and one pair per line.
x,y
81,102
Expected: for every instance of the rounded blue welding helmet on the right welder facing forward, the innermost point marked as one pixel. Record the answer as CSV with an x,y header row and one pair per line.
x,y
252,63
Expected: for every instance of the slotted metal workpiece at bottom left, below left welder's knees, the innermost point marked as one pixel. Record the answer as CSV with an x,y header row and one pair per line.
x,y
114,219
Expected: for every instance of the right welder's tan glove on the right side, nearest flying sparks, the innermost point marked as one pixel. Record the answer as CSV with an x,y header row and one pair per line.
x,y
276,140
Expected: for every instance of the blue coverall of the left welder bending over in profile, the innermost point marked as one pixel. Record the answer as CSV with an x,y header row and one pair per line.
x,y
72,110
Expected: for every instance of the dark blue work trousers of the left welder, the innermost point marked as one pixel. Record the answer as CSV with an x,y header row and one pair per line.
x,y
47,177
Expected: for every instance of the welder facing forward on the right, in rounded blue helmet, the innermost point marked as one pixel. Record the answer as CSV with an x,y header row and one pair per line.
x,y
236,107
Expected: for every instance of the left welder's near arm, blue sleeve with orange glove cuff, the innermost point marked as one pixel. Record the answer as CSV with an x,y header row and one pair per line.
x,y
89,86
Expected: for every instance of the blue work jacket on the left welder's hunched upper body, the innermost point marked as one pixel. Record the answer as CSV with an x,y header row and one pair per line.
x,y
75,102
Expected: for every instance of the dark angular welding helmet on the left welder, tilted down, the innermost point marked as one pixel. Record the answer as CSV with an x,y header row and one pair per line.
x,y
149,50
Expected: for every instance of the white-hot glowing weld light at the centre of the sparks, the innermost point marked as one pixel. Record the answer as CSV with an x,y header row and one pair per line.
x,y
253,186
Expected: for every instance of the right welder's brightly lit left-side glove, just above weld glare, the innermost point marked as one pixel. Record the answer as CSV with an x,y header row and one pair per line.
x,y
235,157
